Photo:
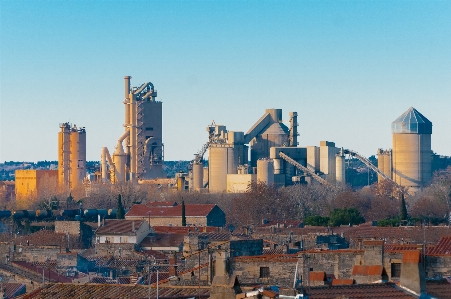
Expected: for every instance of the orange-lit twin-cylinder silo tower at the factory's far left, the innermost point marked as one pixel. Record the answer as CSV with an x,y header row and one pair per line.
x,y
71,156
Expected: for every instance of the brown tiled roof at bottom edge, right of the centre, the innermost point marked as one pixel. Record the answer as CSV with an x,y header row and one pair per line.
x,y
359,291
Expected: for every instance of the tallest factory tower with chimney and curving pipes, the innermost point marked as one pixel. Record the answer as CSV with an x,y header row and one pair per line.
x,y
139,151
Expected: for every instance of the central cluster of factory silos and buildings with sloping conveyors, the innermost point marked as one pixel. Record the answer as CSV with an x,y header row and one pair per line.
x,y
231,168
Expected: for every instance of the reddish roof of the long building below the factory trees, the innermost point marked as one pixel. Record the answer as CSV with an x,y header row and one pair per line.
x,y
191,210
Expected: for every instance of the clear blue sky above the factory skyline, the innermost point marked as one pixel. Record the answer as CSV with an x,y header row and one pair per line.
x,y
349,68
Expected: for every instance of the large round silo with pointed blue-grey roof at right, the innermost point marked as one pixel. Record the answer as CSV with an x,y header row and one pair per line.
x,y
412,154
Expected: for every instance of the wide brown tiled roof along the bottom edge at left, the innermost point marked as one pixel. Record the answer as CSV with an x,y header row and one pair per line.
x,y
104,291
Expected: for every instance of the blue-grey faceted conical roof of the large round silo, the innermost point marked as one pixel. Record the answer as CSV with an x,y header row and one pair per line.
x,y
411,122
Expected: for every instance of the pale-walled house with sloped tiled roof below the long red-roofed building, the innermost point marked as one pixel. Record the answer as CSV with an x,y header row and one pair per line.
x,y
122,231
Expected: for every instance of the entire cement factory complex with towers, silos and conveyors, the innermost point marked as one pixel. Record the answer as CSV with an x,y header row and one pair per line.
x,y
267,152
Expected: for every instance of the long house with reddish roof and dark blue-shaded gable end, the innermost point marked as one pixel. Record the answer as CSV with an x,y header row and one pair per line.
x,y
170,214
